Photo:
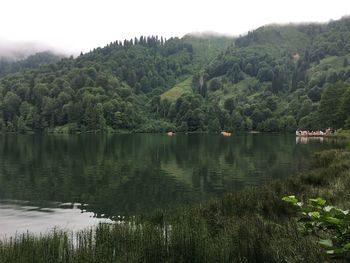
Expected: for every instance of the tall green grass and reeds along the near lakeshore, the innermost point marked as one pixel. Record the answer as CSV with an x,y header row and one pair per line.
x,y
252,225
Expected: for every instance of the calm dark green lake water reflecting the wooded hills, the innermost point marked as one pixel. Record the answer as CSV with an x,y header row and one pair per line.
x,y
75,181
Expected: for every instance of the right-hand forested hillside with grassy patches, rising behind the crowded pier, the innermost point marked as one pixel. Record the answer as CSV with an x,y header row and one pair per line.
x,y
283,78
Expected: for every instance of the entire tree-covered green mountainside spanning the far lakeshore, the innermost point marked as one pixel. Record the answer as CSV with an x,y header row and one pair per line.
x,y
275,78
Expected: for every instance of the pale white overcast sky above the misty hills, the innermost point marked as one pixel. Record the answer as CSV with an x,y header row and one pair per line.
x,y
81,25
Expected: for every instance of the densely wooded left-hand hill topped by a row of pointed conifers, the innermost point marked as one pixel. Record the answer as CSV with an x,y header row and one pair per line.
x,y
107,87
